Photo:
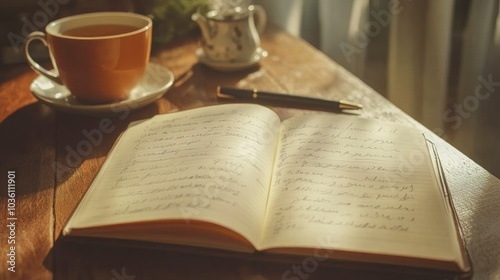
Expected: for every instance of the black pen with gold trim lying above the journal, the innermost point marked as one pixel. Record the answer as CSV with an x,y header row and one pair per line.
x,y
284,99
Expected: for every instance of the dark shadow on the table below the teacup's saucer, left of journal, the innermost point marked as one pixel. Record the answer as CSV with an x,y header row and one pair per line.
x,y
41,143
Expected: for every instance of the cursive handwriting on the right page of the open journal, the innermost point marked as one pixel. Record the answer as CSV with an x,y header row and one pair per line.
x,y
333,176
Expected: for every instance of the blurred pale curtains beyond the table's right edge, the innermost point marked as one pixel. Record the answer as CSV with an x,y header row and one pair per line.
x,y
439,61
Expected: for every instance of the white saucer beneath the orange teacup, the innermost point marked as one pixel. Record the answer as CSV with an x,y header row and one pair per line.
x,y
154,84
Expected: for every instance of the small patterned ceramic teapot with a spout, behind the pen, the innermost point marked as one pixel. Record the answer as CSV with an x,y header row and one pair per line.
x,y
233,35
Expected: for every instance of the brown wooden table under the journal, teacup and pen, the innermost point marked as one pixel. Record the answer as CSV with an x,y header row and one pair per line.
x,y
35,142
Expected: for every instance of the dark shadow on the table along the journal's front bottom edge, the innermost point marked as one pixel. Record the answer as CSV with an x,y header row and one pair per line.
x,y
109,259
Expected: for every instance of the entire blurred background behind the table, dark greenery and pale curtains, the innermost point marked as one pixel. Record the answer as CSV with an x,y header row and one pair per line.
x,y
436,60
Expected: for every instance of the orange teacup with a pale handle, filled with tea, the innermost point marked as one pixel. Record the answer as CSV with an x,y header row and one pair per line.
x,y
100,57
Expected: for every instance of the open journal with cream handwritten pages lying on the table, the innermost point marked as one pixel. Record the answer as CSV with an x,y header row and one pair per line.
x,y
234,177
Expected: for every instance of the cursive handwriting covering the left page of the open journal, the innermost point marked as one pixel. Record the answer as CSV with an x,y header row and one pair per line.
x,y
212,164
